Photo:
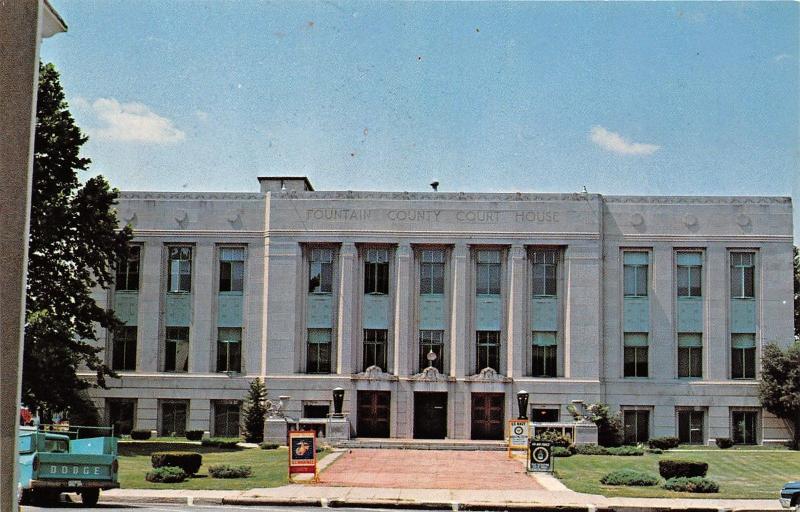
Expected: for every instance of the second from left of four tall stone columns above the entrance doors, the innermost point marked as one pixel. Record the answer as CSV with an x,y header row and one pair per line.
x,y
403,298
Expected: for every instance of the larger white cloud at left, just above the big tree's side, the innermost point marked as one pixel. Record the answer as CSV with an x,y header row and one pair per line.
x,y
132,122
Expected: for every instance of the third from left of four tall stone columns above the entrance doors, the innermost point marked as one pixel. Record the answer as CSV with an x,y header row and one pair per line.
x,y
459,344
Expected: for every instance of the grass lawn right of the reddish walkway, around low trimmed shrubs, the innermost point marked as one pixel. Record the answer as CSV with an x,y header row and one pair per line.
x,y
756,474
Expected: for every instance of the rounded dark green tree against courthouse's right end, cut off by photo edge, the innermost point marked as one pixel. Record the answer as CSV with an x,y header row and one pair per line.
x,y
780,385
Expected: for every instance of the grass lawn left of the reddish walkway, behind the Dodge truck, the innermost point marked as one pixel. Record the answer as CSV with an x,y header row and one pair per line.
x,y
269,469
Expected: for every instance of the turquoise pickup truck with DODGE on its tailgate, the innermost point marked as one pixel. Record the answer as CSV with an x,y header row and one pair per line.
x,y
53,459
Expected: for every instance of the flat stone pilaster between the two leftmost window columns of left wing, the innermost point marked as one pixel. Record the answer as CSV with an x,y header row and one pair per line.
x,y
150,307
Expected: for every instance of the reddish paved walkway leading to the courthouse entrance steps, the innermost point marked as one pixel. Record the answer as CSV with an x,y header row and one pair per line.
x,y
428,469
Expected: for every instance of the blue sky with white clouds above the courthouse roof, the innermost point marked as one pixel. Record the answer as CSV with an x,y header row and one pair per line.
x,y
625,98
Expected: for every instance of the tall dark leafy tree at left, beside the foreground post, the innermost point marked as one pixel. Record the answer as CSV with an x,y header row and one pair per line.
x,y
74,247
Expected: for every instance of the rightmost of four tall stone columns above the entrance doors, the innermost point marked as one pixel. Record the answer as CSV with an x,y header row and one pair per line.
x,y
515,367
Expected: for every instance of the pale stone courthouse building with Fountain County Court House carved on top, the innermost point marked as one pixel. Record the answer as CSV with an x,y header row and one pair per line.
x,y
657,305
